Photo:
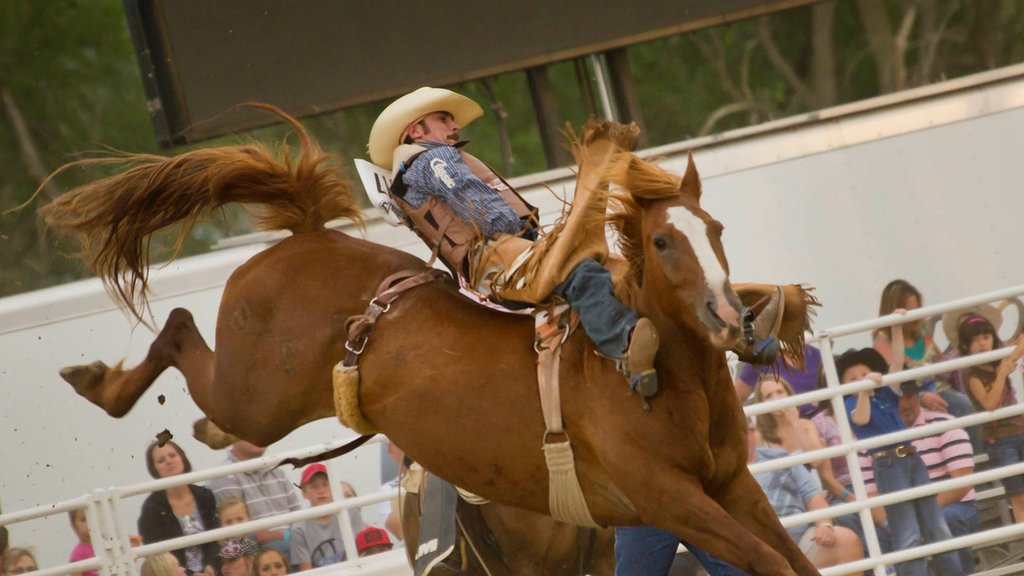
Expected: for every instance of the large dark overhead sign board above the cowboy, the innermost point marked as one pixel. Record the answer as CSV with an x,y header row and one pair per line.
x,y
200,58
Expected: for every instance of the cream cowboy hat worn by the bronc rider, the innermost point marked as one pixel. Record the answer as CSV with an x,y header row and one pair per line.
x,y
391,126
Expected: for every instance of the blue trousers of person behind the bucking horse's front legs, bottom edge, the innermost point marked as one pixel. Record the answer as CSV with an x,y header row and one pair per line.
x,y
646,551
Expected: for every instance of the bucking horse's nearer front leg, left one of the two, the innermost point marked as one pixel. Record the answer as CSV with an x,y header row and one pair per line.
x,y
675,502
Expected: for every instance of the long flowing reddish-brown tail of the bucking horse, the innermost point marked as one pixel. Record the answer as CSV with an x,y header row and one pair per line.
x,y
114,218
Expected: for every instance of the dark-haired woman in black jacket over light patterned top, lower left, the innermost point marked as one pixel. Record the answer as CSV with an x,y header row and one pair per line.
x,y
180,511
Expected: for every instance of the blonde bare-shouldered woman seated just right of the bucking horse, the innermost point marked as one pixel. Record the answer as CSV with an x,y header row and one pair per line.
x,y
785,429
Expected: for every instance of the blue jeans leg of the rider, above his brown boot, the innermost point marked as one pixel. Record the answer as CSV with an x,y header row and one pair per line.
x,y
589,292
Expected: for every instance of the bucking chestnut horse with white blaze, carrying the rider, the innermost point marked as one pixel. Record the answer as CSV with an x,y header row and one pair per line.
x,y
452,383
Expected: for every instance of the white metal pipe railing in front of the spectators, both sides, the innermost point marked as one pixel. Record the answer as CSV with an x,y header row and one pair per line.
x,y
116,557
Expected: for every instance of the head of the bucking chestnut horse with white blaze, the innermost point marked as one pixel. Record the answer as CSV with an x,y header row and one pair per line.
x,y
675,249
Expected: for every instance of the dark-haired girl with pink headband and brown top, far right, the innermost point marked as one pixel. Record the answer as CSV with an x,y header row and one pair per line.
x,y
990,388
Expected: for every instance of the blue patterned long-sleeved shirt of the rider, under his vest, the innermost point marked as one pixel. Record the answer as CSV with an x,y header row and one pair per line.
x,y
441,172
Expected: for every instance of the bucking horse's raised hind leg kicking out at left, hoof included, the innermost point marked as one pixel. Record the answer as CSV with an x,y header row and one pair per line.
x,y
179,345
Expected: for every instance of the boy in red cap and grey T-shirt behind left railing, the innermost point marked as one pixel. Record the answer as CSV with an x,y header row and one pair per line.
x,y
317,542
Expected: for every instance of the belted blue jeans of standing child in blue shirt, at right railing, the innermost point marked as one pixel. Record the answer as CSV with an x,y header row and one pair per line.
x,y
917,522
